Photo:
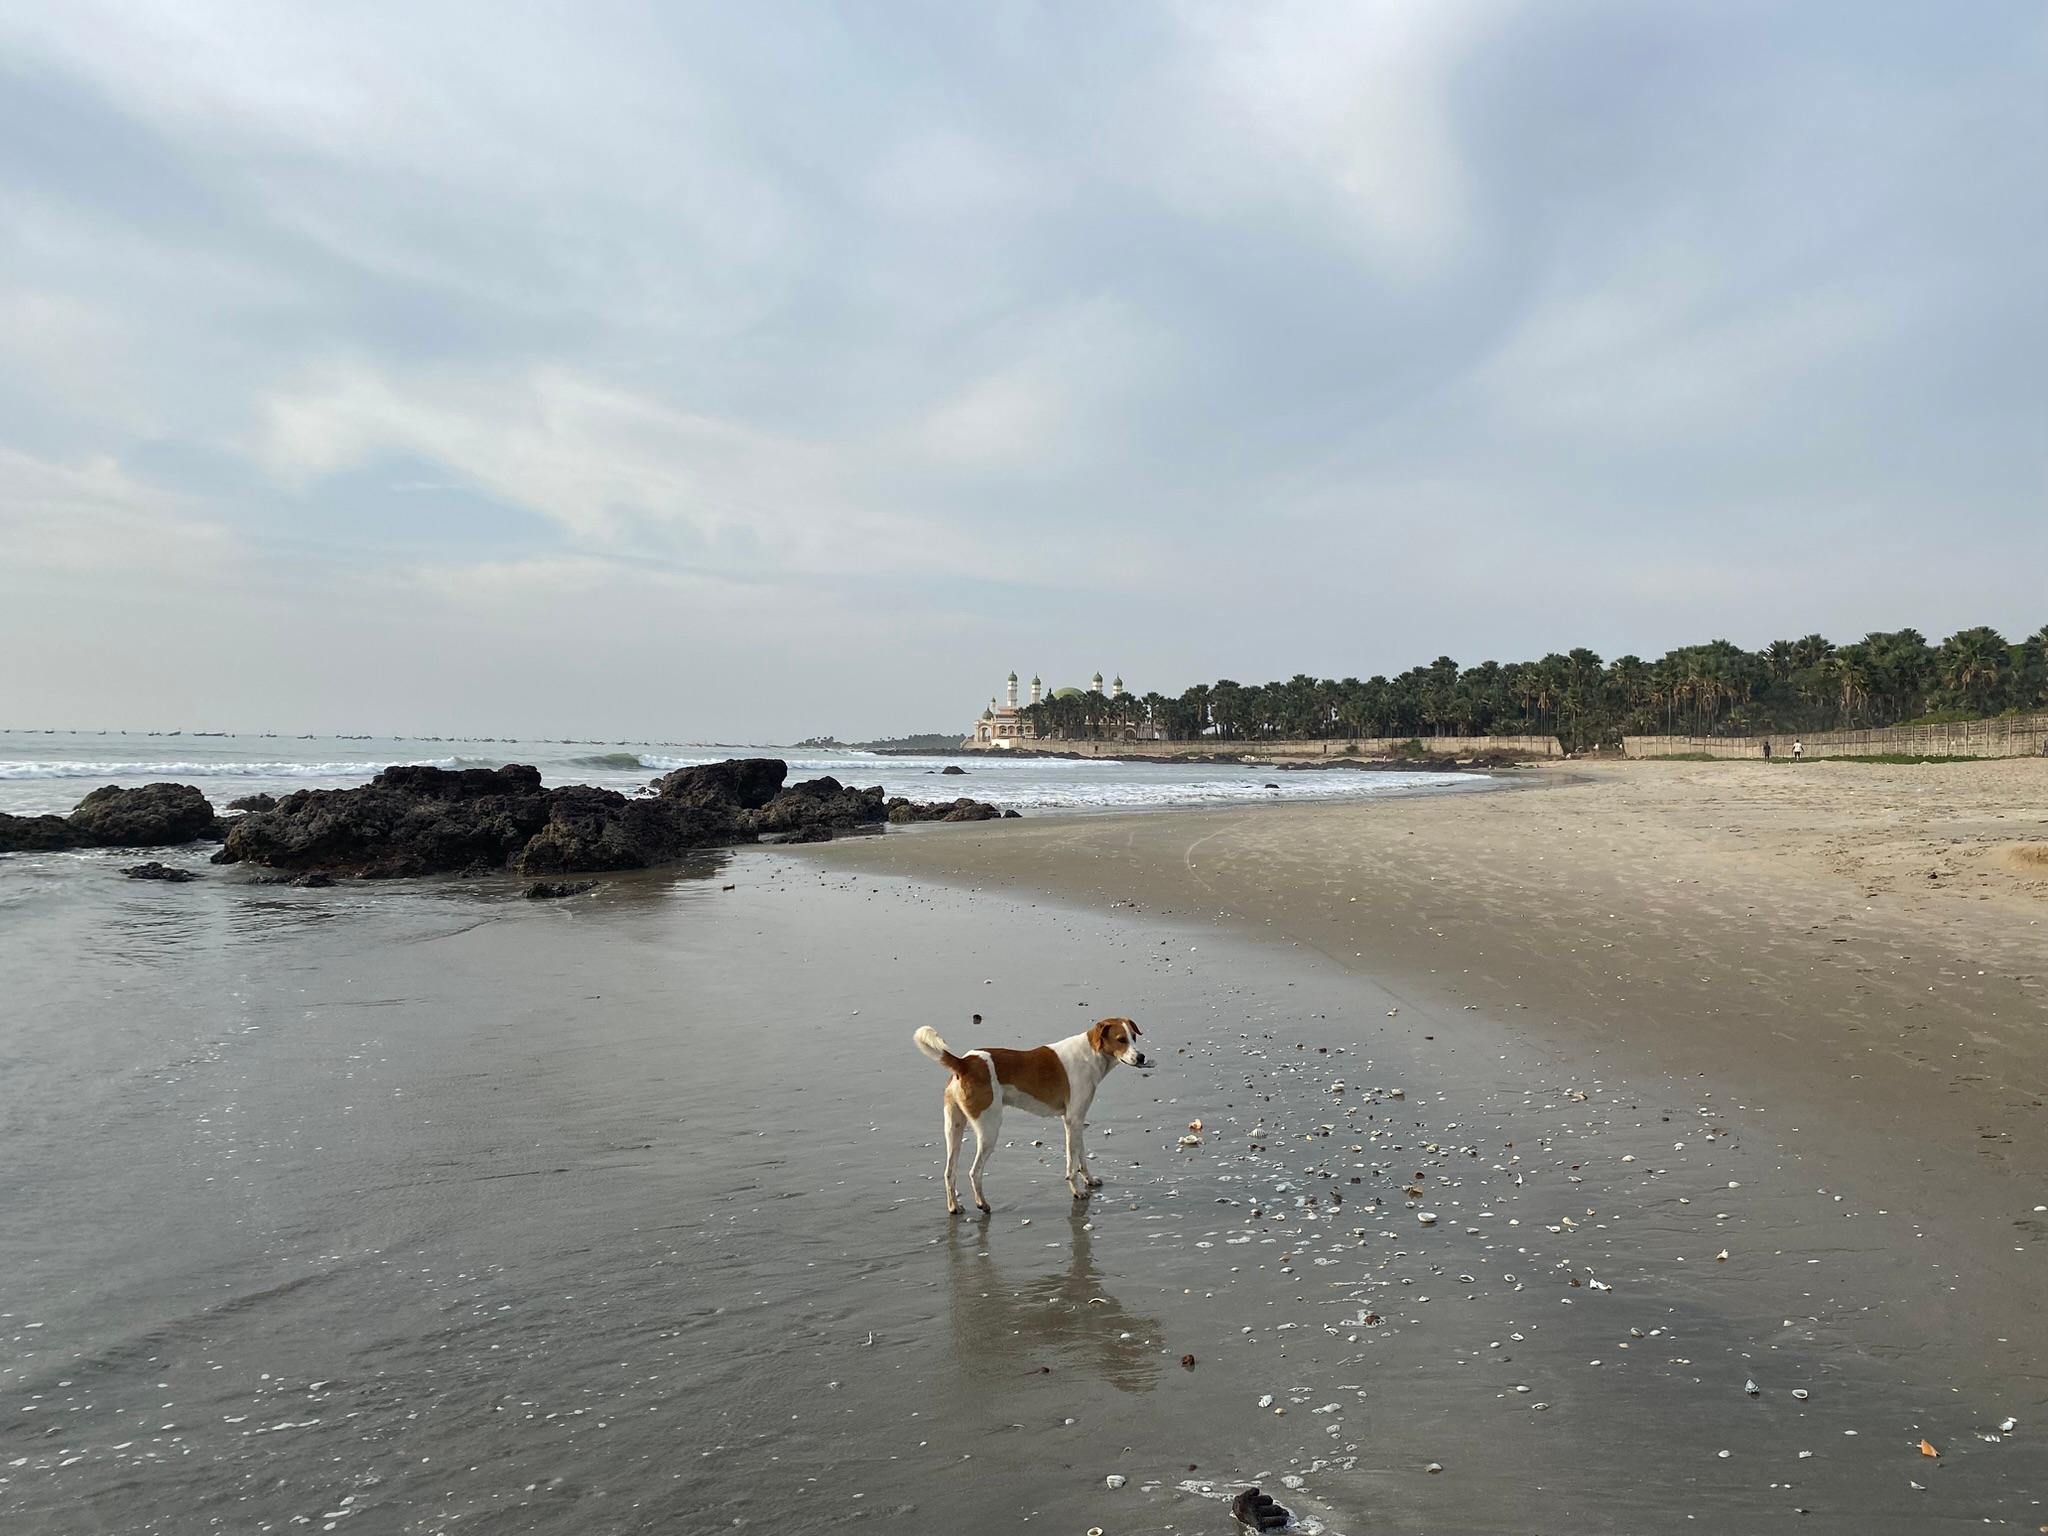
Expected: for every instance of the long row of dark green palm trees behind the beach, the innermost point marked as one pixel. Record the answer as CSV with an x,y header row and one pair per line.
x,y
1715,689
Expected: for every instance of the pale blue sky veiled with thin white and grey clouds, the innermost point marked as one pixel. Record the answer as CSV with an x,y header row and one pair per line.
x,y
759,370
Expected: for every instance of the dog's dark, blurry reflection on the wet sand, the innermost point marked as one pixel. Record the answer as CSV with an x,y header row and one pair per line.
x,y
1019,1316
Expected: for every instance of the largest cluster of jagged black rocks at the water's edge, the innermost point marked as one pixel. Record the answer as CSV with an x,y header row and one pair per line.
x,y
421,820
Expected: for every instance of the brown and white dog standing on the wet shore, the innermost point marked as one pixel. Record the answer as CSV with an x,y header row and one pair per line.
x,y
1054,1080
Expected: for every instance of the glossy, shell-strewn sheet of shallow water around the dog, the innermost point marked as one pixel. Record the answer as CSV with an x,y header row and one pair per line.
x,y
423,1207
